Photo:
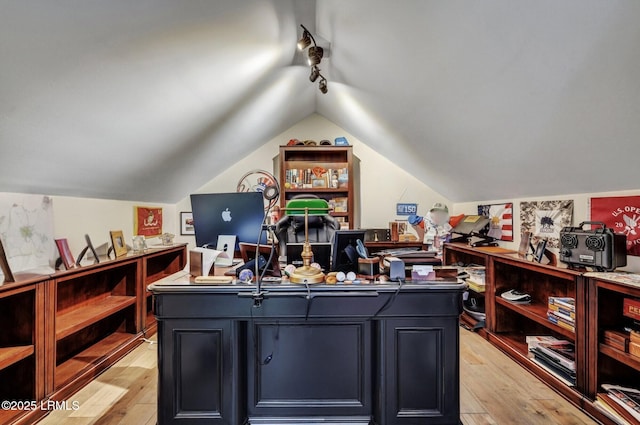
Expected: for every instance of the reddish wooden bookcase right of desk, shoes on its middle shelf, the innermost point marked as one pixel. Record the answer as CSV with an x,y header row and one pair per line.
x,y
508,324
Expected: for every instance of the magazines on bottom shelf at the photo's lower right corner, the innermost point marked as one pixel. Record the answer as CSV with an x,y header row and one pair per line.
x,y
620,404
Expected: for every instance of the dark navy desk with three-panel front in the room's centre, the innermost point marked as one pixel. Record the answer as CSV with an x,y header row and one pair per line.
x,y
307,356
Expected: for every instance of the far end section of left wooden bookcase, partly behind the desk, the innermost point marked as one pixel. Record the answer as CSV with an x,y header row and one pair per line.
x,y
156,265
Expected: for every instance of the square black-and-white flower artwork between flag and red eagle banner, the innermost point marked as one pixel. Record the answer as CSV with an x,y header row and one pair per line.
x,y
545,219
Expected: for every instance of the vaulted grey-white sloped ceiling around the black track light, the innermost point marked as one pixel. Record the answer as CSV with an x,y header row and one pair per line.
x,y
147,100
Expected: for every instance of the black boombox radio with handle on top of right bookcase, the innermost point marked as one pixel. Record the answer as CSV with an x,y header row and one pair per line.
x,y
599,248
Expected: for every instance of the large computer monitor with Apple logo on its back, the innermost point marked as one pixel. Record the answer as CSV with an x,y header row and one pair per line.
x,y
238,213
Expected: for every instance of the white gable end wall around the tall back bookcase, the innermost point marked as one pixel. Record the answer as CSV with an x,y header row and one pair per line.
x,y
382,183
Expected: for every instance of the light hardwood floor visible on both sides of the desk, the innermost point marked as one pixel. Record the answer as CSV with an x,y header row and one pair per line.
x,y
493,390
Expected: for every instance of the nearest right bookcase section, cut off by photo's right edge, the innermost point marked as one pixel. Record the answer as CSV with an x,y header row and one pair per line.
x,y
609,365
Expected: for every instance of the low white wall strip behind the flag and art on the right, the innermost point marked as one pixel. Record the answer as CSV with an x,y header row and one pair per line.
x,y
580,213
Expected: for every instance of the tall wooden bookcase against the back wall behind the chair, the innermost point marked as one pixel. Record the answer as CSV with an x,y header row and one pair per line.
x,y
305,158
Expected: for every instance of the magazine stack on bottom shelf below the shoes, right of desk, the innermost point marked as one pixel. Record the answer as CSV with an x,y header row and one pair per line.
x,y
556,356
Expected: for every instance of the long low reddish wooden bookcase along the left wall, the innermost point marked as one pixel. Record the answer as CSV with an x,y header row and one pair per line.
x,y
63,329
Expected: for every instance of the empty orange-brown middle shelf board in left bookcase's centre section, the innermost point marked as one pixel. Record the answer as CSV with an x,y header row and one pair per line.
x,y
72,321
